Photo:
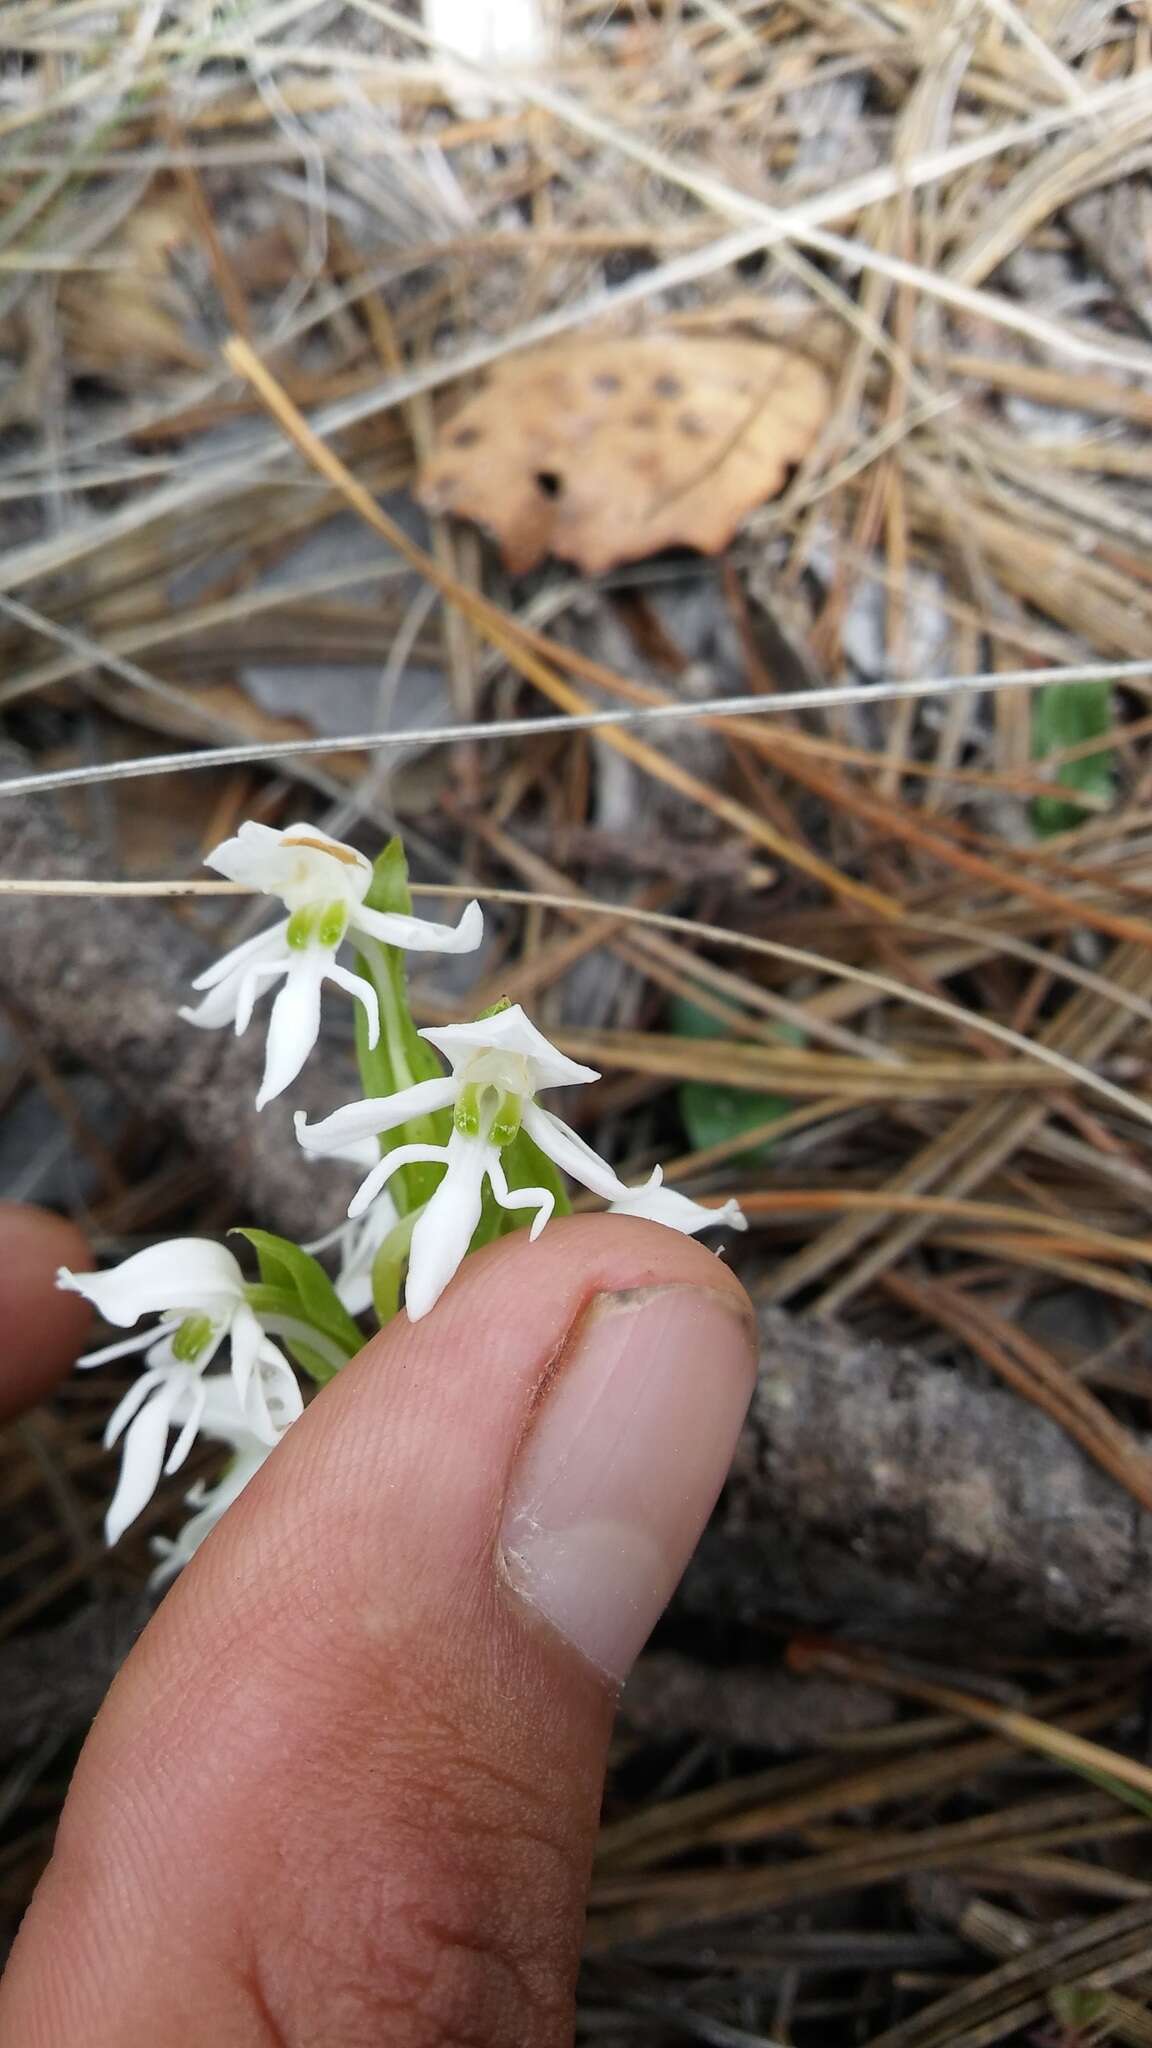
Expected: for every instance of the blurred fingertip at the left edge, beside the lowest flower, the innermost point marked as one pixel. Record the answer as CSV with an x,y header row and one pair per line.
x,y
42,1326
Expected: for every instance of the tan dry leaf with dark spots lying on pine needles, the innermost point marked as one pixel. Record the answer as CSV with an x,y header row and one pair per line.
x,y
608,452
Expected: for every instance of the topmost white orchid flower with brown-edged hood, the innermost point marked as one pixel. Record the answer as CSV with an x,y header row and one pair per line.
x,y
323,886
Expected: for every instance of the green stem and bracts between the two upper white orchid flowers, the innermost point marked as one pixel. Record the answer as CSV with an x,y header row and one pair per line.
x,y
401,1056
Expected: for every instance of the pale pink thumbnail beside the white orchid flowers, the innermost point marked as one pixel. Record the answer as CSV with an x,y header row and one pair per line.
x,y
624,1463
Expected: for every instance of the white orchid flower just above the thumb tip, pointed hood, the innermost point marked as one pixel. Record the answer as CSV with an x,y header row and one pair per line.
x,y
497,1072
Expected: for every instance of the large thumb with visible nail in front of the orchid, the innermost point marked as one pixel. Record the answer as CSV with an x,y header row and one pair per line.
x,y
345,1791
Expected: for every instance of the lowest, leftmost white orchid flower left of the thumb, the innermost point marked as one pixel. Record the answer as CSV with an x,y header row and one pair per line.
x,y
198,1291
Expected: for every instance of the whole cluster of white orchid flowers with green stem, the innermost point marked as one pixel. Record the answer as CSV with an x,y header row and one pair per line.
x,y
454,1160
